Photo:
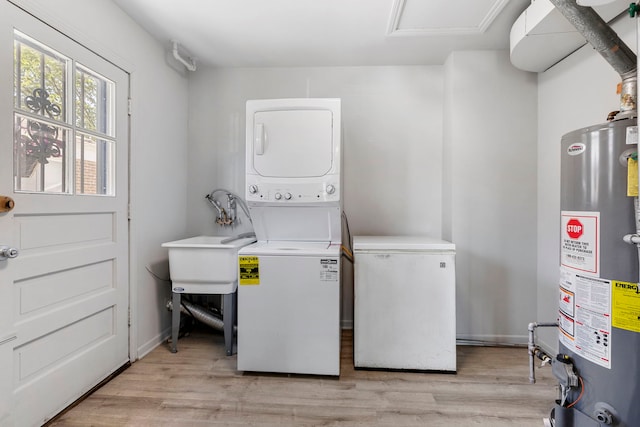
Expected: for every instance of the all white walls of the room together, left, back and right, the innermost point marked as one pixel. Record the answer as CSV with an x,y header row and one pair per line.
x,y
397,140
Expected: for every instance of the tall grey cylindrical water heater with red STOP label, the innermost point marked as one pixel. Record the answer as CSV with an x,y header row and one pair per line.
x,y
599,302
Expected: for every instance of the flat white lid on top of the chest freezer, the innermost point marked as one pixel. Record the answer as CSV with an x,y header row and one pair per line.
x,y
401,243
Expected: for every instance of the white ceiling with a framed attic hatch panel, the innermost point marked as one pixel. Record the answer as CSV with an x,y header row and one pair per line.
x,y
289,33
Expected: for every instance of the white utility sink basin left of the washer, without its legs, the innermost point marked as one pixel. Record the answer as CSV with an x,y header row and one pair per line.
x,y
205,264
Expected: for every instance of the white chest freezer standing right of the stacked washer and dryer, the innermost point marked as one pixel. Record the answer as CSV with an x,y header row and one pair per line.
x,y
404,308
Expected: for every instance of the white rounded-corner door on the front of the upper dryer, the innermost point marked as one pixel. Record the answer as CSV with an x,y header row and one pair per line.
x,y
292,143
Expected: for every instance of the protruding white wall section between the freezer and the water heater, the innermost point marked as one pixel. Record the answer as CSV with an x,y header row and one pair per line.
x,y
490,193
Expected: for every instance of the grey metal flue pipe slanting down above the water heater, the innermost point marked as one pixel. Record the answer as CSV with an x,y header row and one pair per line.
x,y
607,43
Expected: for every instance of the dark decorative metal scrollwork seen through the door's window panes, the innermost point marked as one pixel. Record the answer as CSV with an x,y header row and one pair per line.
x,y
41,139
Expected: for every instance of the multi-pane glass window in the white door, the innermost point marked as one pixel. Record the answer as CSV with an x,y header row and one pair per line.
x,y
56,102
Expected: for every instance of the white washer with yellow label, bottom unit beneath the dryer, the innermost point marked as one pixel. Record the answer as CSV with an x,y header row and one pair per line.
x,y
288,308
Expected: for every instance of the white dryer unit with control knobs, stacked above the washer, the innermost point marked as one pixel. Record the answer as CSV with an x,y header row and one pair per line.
x,y
293,153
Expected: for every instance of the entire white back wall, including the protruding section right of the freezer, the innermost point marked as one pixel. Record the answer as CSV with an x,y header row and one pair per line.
x,y
393,165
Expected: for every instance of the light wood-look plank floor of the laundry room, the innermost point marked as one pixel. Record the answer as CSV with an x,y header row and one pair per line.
x,y
199,386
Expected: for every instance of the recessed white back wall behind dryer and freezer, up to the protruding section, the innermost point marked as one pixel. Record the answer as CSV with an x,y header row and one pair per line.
x,y
392,124
